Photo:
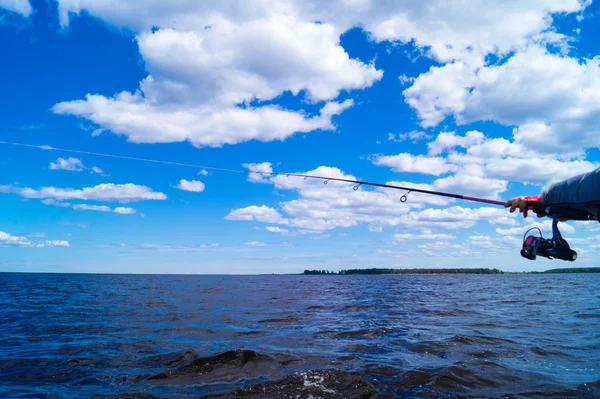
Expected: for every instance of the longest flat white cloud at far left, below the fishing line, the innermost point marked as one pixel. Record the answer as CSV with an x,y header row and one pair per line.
x,y
102,192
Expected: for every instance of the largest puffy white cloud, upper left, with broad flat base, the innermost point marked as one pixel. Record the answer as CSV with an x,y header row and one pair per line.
x,y
199,75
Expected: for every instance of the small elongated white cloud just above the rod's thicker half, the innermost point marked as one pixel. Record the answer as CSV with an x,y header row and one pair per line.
x,y
406,162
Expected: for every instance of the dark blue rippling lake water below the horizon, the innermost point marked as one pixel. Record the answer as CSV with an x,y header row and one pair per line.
x,y
272,336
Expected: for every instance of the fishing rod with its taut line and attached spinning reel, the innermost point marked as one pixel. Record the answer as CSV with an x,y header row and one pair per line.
x,y
555,247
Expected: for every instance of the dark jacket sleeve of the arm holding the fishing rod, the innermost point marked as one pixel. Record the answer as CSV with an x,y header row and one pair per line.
x,y
581,192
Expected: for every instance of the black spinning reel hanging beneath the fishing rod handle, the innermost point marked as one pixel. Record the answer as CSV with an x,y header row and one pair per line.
x,y
552,248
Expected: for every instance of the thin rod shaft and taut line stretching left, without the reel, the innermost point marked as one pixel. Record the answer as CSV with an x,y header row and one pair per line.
x,y
325,179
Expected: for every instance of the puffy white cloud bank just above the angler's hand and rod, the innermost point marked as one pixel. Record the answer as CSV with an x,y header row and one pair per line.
x,y
483,166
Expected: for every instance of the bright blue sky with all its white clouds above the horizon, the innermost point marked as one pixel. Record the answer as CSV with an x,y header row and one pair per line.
x,y
491,100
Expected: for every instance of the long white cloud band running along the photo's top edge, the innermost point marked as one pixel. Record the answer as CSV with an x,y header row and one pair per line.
x,y
447,30
